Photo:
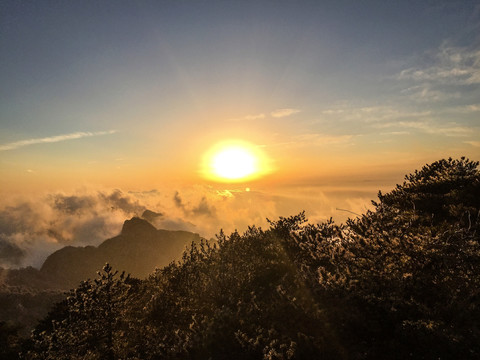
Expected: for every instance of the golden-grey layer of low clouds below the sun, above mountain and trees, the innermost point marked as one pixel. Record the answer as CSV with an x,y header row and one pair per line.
x,y
31,229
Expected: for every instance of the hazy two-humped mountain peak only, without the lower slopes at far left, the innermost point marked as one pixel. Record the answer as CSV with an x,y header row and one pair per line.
x,y
138,250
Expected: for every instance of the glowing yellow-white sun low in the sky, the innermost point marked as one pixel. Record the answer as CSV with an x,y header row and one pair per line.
x,y
234,161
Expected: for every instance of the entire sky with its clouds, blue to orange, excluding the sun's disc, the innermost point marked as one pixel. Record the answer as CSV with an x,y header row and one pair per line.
x,y
342,98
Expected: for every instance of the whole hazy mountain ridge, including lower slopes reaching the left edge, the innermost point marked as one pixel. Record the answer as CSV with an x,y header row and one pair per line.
x,y
137,250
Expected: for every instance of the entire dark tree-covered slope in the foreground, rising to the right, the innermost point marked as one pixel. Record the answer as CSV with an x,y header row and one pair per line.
x,y
400,282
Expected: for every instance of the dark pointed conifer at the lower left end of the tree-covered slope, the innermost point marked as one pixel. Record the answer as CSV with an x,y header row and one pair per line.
x,y
89,324
